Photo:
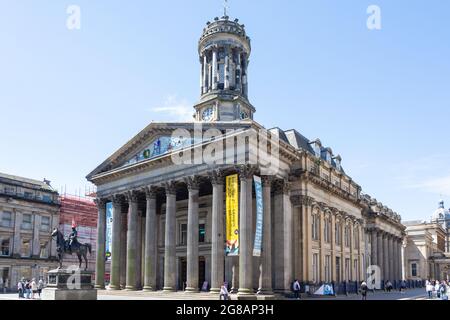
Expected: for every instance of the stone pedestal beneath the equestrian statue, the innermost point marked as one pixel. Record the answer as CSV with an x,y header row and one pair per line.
x,y
66,284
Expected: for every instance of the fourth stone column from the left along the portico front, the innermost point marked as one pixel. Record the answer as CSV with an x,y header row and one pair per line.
x,y
150,241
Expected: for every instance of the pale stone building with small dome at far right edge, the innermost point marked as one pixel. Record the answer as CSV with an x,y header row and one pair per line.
x,y
426,254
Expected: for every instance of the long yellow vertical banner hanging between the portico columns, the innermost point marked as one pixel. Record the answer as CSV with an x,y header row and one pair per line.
x,y
232,210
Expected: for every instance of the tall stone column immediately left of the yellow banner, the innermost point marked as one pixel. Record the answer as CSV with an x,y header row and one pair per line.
x,y
217,245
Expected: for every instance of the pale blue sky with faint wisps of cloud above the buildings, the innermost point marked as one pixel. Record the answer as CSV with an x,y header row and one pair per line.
x,y
380,98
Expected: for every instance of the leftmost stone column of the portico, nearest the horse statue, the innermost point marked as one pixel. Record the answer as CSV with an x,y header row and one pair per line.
x,y
101,238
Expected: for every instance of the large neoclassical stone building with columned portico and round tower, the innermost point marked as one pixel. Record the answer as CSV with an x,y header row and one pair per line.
x,y
168,220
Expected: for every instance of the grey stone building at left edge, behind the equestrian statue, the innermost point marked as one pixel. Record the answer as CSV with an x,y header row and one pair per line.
x,y
29,209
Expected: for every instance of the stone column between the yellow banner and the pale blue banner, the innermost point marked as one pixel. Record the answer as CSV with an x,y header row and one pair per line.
x,y
245,231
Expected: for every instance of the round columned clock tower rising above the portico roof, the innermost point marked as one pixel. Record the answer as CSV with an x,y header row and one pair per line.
x,y
224,51
